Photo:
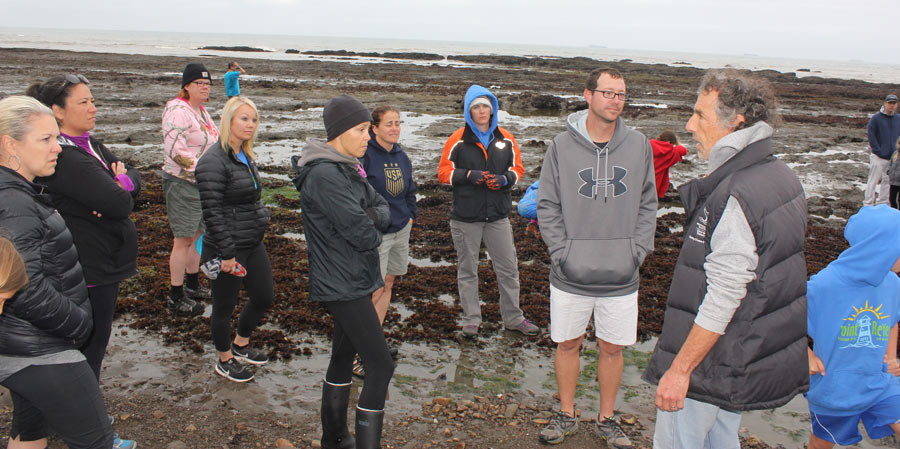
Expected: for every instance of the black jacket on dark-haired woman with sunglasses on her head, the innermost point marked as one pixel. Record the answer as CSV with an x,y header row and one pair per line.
x,y
107,245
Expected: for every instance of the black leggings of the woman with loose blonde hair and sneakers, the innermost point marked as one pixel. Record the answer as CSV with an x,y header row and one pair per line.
x,y
225,289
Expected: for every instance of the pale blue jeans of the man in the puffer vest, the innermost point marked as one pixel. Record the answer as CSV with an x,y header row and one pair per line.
x,y
697,425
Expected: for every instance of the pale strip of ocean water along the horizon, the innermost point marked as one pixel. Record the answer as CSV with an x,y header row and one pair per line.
x,y
185,44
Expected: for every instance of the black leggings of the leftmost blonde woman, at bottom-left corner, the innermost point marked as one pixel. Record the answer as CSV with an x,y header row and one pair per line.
x,y
64,396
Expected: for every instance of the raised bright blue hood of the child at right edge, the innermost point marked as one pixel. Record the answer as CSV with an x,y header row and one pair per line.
x,y
874,237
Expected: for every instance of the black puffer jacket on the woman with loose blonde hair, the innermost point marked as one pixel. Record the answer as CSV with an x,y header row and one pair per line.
x,y
230,194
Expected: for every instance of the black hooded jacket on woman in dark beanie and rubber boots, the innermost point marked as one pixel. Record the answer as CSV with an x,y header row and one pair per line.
x,y
342,239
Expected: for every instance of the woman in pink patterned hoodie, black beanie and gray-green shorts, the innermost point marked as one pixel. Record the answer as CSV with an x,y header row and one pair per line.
x,y
188,131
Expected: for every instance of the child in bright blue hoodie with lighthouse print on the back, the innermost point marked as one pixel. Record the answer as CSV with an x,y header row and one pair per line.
x,y
853,311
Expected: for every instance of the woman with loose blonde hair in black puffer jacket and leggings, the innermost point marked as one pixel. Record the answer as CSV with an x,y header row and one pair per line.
x,y
235,221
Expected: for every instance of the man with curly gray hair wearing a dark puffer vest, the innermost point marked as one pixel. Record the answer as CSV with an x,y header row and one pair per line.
x,y
734,335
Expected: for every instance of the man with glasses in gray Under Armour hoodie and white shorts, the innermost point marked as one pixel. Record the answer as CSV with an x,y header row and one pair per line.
x,y
597,214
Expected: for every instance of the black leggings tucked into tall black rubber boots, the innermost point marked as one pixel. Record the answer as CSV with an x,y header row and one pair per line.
x,y
357,331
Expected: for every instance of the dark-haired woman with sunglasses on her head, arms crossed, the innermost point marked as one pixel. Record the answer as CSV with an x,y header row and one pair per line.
x,y
94,192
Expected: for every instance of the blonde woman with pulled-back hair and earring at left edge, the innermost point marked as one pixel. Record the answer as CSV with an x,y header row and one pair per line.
x,y
43,325
